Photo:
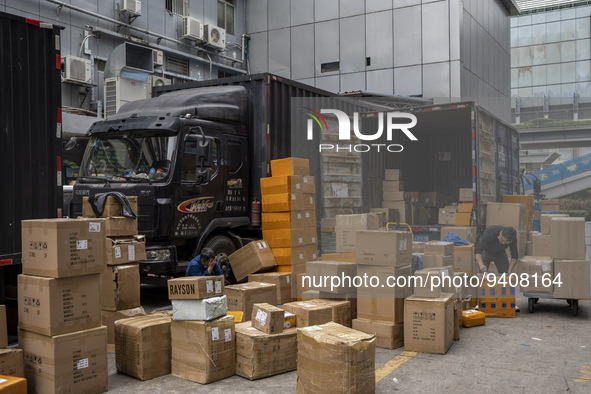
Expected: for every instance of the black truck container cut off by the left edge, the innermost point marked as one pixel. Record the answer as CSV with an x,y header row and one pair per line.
x,y
30,144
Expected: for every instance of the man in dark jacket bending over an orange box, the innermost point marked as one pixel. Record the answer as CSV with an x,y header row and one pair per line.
x,y
492,246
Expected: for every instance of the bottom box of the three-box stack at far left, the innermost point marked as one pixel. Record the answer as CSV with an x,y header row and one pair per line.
x,y
69,363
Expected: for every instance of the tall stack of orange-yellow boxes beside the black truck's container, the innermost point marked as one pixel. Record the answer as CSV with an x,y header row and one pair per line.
x,y
289,215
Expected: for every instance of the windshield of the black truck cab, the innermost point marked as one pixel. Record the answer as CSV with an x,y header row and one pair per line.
x,y
129,158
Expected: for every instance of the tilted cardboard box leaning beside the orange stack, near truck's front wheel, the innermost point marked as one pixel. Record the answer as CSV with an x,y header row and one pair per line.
x,y
253,257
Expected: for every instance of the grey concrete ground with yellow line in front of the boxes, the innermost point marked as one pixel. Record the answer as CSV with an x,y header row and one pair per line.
x,y
548,351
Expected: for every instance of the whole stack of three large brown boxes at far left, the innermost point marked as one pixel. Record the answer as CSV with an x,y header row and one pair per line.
x,y
60,332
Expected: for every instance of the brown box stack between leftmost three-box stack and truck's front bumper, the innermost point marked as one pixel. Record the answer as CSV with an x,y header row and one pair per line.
x,y
120,279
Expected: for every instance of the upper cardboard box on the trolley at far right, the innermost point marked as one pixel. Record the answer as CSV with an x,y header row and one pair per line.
x,y
568,238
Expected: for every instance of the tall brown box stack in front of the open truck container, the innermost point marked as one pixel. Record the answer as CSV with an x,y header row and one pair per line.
x,y
380,310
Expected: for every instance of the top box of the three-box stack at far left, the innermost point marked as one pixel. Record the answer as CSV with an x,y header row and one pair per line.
x,y
62,248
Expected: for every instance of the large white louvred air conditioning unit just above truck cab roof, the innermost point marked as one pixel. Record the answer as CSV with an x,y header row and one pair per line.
x,y
119,91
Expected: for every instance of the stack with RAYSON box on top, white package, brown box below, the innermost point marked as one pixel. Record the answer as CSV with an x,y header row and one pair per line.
x,y
202,334
